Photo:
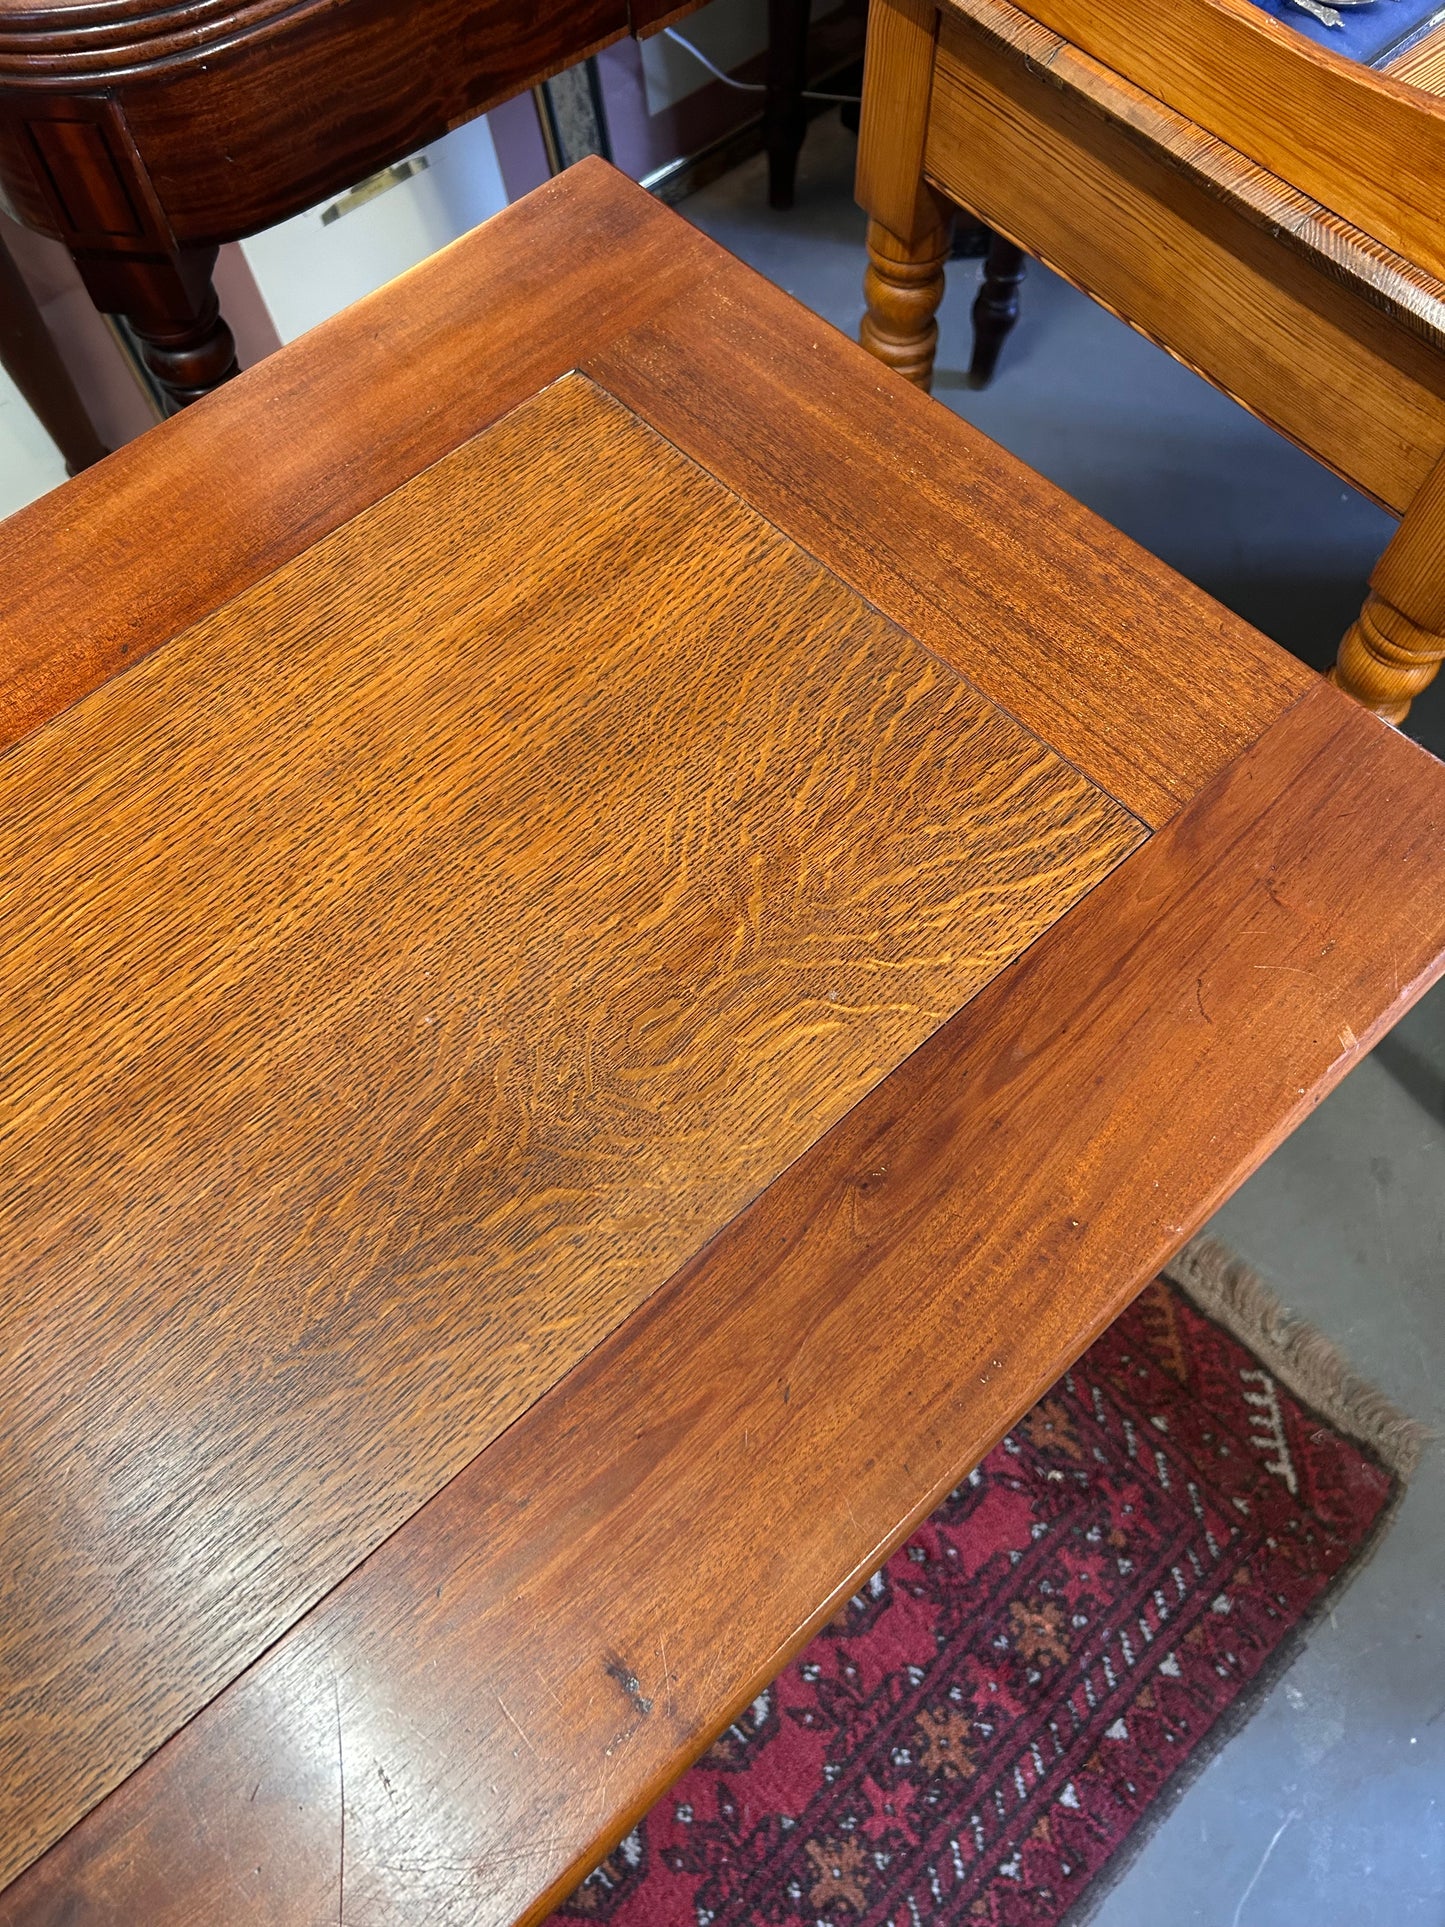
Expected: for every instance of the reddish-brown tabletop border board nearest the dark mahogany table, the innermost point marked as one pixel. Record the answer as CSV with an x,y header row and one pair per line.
x,y
323,429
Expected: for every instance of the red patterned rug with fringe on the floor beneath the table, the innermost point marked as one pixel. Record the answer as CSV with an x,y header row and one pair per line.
x,y
991,1728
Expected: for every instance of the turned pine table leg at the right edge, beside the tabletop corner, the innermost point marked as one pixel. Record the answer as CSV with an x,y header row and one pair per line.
x,y
1398,643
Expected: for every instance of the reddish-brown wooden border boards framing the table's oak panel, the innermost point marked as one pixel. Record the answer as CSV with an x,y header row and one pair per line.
x,y
862,1334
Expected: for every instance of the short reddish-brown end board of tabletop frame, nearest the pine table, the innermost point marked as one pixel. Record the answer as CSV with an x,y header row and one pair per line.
x,y
1142,681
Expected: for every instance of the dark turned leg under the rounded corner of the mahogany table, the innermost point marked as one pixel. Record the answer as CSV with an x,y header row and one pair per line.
x,y
174,315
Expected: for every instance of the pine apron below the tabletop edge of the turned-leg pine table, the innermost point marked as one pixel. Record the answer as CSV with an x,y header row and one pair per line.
x,y
1107,192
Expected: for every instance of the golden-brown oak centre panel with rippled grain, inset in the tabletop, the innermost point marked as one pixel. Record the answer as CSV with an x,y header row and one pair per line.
x,y
404,974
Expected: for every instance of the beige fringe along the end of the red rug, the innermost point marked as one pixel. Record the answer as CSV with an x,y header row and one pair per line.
x,y
1296,1354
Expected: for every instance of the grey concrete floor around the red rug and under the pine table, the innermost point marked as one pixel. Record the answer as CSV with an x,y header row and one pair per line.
x,y
1328,1808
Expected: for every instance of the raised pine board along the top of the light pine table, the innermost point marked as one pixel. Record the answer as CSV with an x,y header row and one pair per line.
x,y
1269,93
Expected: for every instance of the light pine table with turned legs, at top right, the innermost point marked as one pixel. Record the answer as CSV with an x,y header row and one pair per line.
x,y
1265,209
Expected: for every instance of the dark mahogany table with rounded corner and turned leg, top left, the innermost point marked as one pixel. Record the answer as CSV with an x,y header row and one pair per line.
x,y
144,136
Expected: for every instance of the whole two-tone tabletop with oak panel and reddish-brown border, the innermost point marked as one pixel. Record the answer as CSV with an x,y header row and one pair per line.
x,y
621,939
